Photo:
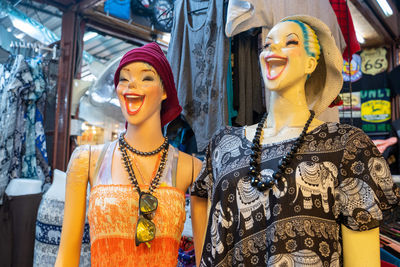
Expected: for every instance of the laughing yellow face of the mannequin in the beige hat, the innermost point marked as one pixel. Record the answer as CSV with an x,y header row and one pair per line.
x,y
284,60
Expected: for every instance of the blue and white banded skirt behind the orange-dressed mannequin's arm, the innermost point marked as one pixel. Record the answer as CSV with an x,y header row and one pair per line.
x,y
48,233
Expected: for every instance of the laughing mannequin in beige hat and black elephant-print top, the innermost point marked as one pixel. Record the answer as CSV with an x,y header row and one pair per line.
x,y
336,185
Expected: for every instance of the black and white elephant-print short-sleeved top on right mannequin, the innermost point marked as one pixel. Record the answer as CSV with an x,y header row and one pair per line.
x,y
337,177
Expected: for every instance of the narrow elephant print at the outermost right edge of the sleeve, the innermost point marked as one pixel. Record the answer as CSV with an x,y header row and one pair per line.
x,y
380,173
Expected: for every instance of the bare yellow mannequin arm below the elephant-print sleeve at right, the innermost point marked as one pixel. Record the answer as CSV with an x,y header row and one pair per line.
x,y
361,249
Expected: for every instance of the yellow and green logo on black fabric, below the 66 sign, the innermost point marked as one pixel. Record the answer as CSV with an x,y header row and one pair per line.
x,y
376,111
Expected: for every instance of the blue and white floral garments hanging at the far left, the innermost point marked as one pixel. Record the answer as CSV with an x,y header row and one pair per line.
x,y
22,87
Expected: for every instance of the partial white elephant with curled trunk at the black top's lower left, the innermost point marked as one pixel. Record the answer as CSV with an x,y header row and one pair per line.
x,y
219,218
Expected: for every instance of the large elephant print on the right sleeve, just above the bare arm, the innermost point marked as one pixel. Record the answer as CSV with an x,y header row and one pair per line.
x,y
356,194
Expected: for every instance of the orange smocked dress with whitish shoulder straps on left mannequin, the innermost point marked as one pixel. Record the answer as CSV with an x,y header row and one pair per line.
x,y
113,213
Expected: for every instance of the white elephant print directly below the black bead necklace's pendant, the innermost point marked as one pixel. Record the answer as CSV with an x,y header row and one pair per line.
x,y
250,199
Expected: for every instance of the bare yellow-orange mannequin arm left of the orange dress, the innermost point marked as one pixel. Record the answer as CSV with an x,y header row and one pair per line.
x,y
75,208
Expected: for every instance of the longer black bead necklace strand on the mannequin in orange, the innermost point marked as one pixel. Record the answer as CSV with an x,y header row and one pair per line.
x,y
128,166
